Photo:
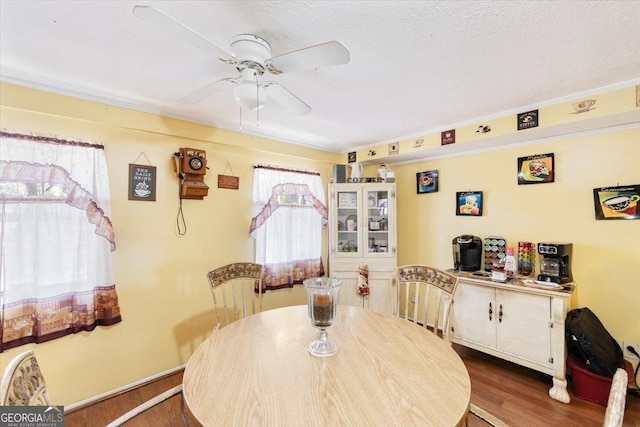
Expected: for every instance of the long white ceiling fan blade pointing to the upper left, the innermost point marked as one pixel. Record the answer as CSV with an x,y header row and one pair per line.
x,y
165,22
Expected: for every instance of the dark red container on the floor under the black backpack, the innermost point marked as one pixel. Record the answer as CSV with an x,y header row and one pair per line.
x,y
590,386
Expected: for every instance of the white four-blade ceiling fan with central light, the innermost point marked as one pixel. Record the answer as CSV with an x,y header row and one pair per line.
x,y
251,56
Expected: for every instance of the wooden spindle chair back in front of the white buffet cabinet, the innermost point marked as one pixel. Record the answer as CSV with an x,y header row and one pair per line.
x,y
425,295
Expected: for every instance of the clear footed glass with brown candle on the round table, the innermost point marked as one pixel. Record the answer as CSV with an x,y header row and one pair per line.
x,y
322,293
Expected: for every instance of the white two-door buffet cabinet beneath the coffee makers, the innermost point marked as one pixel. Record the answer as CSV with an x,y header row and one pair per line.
x,y
521,324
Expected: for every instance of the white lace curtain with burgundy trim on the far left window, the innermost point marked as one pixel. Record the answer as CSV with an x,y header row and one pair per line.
x,y
56,239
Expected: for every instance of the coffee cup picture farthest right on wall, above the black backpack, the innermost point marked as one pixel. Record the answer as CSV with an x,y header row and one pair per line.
x,y
617,202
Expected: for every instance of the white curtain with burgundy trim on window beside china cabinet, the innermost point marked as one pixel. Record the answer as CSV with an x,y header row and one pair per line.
x,y
289,213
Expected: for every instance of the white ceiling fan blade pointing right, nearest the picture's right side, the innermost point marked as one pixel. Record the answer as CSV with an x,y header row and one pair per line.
x,y
322,55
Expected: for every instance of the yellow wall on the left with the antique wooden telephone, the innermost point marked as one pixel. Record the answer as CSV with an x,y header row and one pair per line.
x,y
160,276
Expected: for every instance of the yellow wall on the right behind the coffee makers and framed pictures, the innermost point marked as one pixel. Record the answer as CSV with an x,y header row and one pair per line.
x,y
606,254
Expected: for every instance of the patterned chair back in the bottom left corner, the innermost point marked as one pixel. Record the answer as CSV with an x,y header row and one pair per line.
x,y
22,383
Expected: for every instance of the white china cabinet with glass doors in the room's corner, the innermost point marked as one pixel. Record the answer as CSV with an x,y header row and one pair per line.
x,y
362,231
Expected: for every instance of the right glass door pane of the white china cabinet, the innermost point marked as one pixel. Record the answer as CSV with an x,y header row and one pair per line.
x,y
377,217
